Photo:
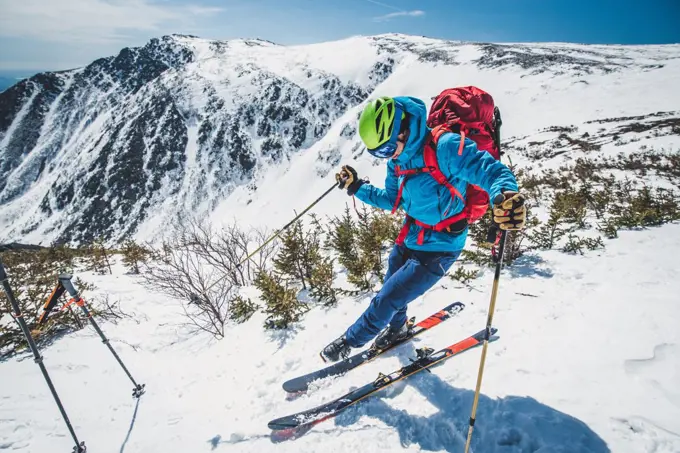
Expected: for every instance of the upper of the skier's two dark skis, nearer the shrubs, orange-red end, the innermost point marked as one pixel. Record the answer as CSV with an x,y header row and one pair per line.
x,y
301,383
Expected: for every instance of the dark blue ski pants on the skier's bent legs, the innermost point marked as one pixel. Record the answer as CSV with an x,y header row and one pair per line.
x,y
410,273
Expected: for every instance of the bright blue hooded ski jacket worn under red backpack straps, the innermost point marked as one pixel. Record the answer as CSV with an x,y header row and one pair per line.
x,y
425,199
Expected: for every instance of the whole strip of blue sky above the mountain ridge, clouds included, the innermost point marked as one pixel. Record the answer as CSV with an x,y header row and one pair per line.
x,y
61,34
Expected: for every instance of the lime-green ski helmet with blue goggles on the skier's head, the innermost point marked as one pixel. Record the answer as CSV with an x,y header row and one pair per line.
x,y
379,125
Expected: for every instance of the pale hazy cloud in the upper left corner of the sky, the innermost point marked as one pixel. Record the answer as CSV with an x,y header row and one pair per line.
x,y
93,21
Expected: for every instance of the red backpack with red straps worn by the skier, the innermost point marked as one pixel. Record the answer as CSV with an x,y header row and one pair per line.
x,y
470,112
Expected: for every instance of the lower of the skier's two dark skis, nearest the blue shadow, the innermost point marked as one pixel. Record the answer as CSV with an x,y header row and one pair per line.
x,y
426,359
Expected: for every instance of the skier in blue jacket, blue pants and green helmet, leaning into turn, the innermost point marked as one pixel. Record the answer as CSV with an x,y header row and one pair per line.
x,y
395,129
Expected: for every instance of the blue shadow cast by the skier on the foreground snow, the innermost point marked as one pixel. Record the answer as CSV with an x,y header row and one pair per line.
x,y
512,424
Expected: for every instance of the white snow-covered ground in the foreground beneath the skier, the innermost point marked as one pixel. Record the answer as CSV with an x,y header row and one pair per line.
x,y
590,365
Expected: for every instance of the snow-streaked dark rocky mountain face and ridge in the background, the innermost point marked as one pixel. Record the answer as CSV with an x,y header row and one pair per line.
x,y
181,122
